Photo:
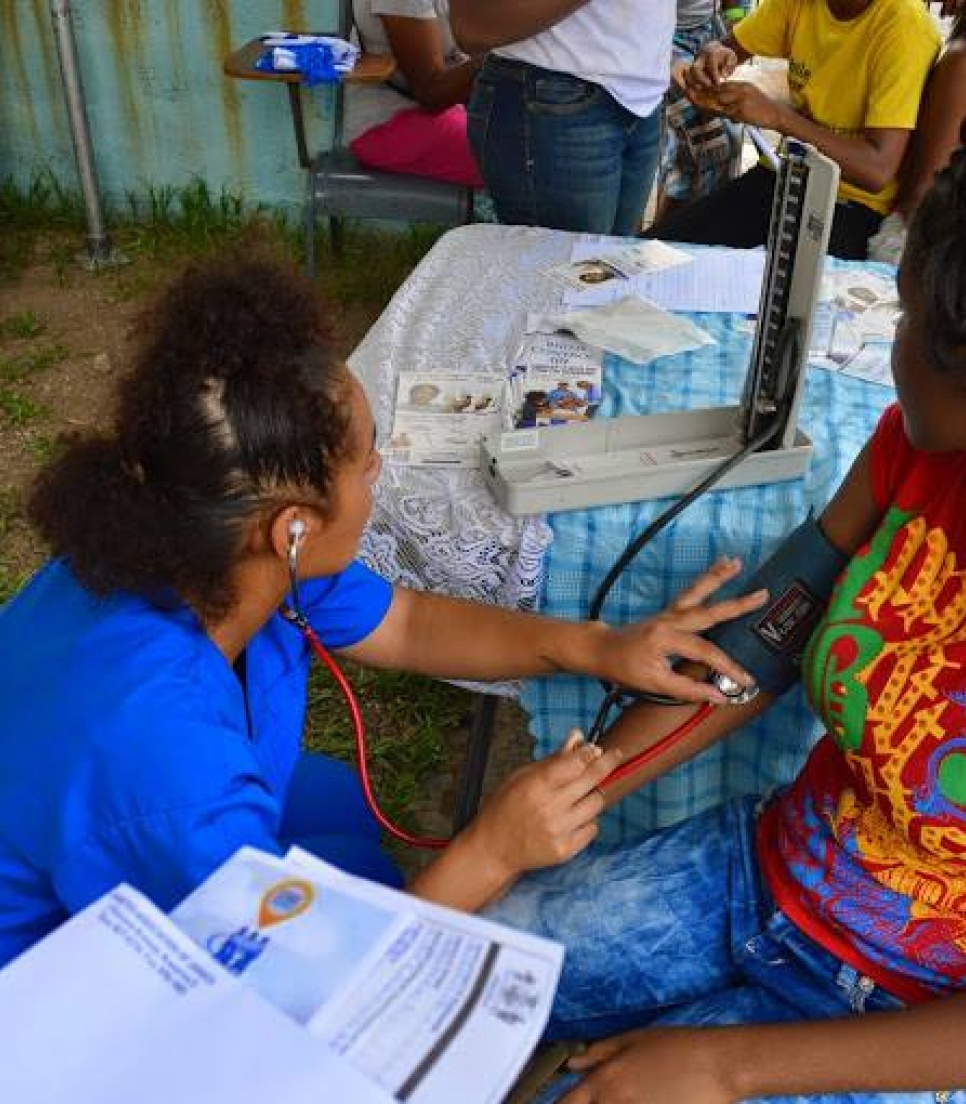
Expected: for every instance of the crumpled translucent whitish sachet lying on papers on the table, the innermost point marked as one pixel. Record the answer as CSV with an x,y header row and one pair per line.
x,y
634,330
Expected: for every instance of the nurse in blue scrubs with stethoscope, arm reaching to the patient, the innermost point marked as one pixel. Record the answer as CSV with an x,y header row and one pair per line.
x,y
152,696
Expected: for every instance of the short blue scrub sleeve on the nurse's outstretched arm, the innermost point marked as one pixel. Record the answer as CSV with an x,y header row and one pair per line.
x,y
345,609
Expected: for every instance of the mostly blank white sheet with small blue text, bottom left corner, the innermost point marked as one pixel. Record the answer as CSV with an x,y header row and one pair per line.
x,y
119,1006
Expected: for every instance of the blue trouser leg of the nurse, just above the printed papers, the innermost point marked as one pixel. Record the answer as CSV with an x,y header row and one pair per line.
x,y
326,814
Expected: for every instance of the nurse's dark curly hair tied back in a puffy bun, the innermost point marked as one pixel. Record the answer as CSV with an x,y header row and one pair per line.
x,y
236,402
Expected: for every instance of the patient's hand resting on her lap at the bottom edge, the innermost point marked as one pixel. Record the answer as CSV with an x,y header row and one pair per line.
x,y
655,1066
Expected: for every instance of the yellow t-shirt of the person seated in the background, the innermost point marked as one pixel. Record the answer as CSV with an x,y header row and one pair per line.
x,y
850,76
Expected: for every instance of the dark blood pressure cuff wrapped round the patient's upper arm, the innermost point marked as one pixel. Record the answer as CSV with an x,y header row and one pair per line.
x,y
800,578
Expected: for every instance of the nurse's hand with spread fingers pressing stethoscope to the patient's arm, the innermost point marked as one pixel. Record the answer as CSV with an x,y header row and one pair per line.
x,y
640,656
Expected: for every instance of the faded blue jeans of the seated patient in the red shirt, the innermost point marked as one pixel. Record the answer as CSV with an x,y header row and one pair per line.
x,y
680,930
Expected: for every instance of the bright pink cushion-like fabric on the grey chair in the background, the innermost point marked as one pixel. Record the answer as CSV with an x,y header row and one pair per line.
x,y
427,145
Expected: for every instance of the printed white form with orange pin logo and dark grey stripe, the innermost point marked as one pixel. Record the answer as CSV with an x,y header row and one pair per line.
x,y
432,1005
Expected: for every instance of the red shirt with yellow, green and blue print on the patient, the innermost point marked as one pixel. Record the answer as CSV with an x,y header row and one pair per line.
x,y
867,850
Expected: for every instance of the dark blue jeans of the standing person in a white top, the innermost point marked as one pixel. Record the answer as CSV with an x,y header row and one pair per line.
x,y
559,152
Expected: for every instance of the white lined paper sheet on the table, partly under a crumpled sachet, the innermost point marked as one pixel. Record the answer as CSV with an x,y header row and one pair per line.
x,y
721,280
